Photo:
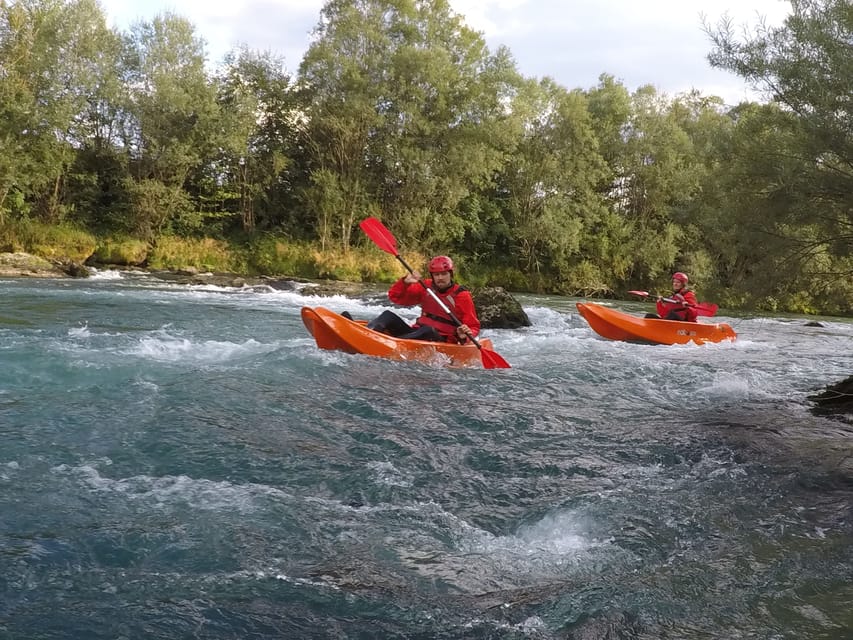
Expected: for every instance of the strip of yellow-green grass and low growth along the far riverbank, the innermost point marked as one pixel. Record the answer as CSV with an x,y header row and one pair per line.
x,y
278,256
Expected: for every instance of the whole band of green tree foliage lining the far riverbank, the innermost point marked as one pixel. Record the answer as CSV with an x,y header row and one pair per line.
x,y
400,110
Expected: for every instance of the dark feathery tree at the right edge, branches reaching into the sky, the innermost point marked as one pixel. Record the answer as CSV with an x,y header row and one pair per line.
x,y
805,176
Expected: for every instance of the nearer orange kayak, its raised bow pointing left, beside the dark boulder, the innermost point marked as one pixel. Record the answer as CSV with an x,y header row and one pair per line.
x,y
334,332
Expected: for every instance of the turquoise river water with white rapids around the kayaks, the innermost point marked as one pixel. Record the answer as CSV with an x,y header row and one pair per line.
x,y
183,462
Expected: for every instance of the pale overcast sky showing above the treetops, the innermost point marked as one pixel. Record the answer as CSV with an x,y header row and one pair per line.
x,y
657,42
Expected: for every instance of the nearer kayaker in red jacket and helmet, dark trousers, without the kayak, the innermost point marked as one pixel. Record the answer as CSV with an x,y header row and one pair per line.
x,y
434,324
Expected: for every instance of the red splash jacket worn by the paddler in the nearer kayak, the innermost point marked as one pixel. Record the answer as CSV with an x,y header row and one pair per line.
x,y
458,299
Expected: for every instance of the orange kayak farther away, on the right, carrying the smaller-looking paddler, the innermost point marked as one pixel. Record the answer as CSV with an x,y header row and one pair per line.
x,y
616,325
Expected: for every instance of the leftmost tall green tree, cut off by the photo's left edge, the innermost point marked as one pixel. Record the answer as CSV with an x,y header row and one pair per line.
x,y
50,55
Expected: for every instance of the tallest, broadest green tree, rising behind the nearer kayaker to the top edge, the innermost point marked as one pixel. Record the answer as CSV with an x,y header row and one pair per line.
x,y
404,112
